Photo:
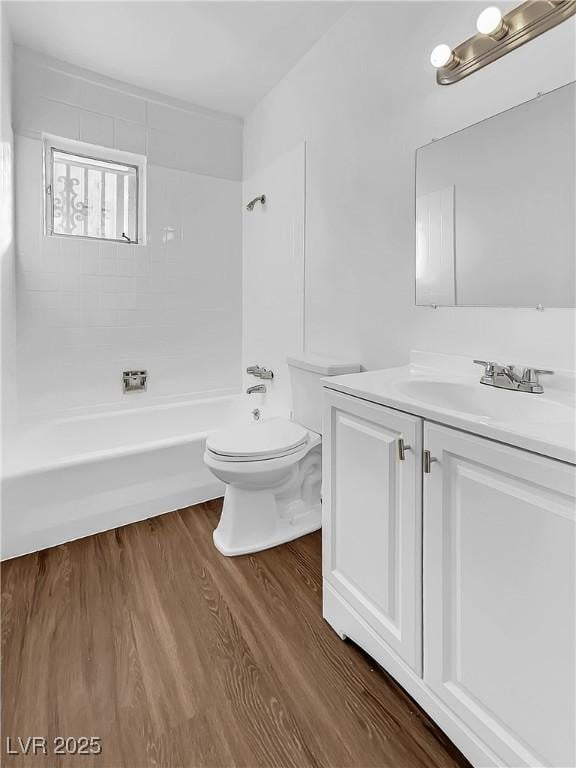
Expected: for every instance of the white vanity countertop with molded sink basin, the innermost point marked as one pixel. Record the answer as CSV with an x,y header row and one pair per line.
x,y
446,389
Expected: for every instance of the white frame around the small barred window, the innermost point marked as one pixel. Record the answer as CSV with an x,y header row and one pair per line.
x,y
52,143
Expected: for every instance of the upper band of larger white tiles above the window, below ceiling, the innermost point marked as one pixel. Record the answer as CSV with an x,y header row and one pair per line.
x,y
50,99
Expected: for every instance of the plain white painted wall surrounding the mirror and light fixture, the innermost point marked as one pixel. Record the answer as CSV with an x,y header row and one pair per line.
x,y
364,98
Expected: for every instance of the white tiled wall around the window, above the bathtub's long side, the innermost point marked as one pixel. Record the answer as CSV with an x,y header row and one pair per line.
x,y
88,310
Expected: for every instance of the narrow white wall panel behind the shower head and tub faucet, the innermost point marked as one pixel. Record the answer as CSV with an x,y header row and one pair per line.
x,y
273,274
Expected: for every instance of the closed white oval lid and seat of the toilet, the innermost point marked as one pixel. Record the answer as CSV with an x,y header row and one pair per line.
x,y
260,439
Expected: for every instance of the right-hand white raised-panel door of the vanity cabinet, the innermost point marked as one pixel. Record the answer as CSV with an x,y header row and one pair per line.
x,y
499,594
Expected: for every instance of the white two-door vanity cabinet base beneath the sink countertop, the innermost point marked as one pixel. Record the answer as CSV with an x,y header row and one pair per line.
x,y
457,575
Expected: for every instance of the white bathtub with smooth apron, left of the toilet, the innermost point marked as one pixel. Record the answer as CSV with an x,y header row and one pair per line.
x,y
68,478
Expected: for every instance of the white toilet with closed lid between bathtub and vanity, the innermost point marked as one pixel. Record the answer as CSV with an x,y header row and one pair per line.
x,y
273,468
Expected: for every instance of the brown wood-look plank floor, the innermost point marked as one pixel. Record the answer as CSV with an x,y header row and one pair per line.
x,y
176,656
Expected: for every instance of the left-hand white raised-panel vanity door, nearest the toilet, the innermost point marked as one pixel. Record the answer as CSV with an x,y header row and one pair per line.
x,y
372,542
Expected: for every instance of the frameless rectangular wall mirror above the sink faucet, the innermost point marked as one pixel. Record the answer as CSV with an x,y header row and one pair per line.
x,y
495,210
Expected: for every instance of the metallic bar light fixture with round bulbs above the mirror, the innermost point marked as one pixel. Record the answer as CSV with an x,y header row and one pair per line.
x,y
498,35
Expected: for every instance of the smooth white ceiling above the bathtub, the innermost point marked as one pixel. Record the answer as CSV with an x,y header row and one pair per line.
x,y
220,55
